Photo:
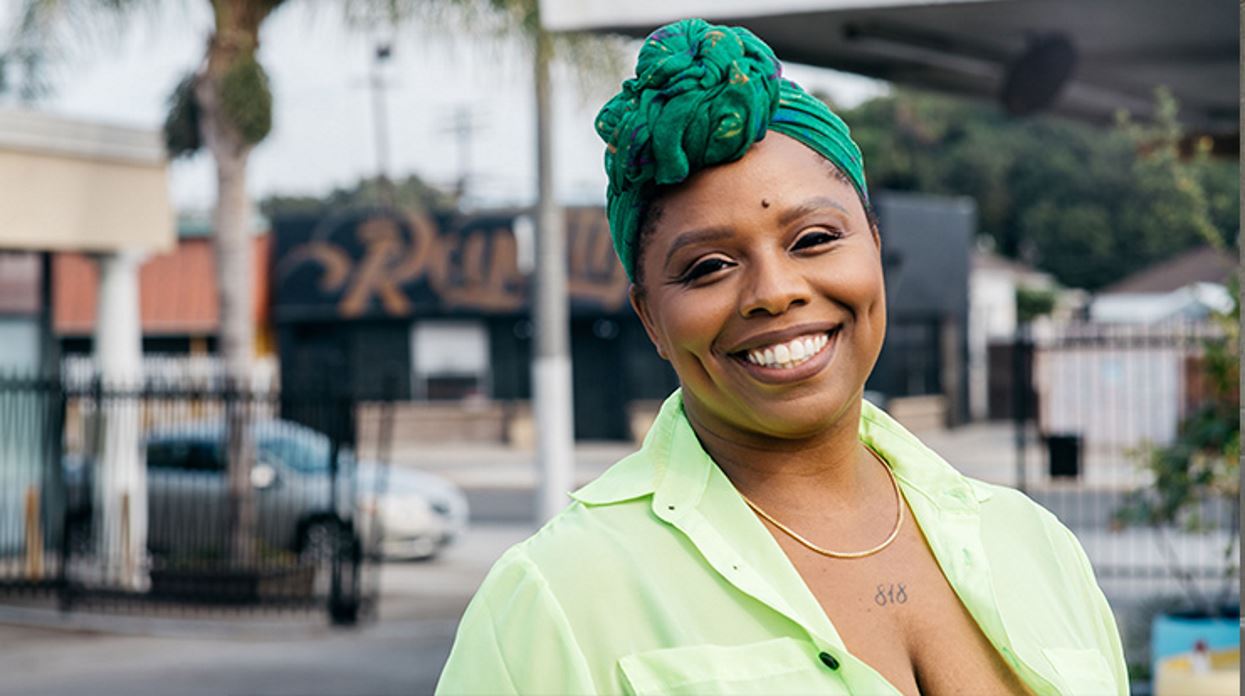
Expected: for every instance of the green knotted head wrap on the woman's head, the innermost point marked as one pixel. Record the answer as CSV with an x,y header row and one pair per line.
x,y
702,96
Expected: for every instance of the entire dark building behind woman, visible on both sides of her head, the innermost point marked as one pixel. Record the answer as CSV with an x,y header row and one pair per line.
x,y
404,307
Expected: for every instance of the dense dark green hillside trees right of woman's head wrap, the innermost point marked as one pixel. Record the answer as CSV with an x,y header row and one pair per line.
x,y
1088,205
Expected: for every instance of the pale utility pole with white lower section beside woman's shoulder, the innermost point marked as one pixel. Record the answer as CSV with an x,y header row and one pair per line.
x,y
551,368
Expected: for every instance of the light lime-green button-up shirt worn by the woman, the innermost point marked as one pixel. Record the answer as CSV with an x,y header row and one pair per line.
x,y
659,580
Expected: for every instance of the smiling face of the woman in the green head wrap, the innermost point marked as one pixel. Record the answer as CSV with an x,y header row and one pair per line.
x,y
764,288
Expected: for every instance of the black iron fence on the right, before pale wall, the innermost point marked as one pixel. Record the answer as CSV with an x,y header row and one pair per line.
x,y
1129,439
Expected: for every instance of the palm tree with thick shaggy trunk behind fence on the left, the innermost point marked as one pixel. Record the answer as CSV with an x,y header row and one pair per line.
x,y
226,108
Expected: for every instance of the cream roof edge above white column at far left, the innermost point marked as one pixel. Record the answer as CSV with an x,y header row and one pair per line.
x,y
78,186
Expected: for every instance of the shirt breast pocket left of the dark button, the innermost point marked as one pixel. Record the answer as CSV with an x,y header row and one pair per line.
x,y
782,665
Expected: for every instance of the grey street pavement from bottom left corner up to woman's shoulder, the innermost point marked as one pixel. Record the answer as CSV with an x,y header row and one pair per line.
x,y
402,653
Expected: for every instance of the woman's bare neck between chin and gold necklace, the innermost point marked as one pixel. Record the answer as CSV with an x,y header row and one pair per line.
x,y
829,469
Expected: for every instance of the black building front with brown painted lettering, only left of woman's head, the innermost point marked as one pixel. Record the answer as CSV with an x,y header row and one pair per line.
x,y
406,307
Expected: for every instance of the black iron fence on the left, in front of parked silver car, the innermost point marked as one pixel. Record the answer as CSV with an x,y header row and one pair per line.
x,y
189,496
